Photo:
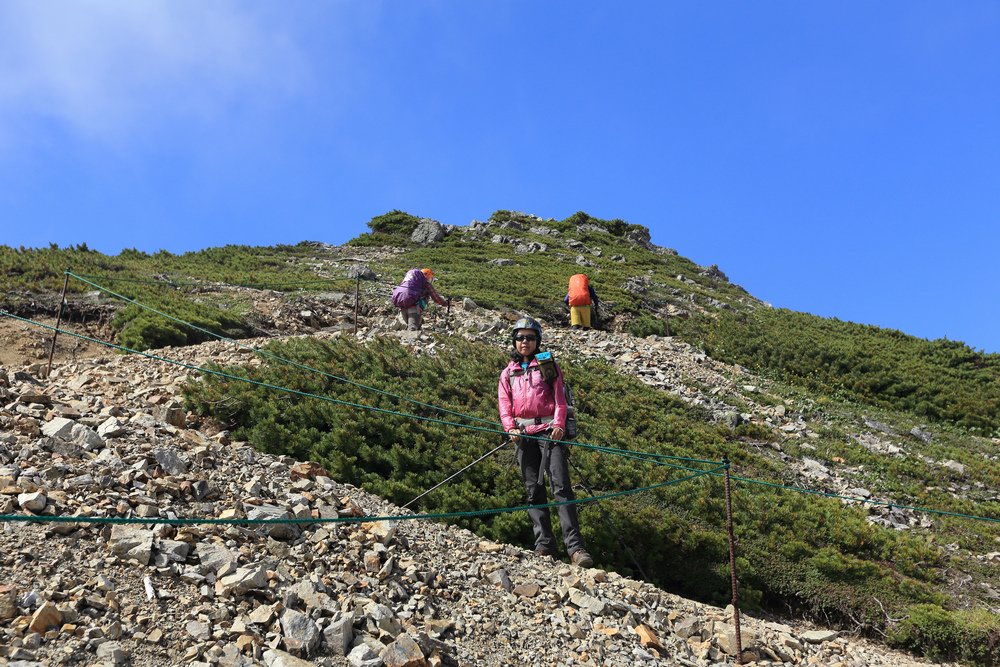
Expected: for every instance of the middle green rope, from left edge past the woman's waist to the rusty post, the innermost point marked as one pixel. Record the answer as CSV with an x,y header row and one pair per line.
x,y
371,408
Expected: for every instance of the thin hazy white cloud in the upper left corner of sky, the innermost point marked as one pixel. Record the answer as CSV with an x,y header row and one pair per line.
x,y
109,69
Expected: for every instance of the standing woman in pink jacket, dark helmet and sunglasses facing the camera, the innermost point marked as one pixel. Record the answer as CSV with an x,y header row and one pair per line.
x,y
532,405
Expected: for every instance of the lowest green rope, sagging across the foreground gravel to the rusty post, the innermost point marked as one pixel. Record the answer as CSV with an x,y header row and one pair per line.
x,y
345,519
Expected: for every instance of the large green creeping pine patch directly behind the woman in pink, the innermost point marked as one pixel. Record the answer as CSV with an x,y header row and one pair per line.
x,y
796,550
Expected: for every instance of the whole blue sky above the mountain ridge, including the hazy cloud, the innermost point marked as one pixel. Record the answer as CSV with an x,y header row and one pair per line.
x,y
838,158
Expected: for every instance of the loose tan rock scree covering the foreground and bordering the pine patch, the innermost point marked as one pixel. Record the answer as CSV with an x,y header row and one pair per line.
x,y
106,437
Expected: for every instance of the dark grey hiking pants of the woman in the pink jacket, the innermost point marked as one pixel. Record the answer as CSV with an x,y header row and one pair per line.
x,y
529,456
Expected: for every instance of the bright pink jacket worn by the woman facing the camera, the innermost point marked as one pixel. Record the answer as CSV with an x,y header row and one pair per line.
x,y
527,395
